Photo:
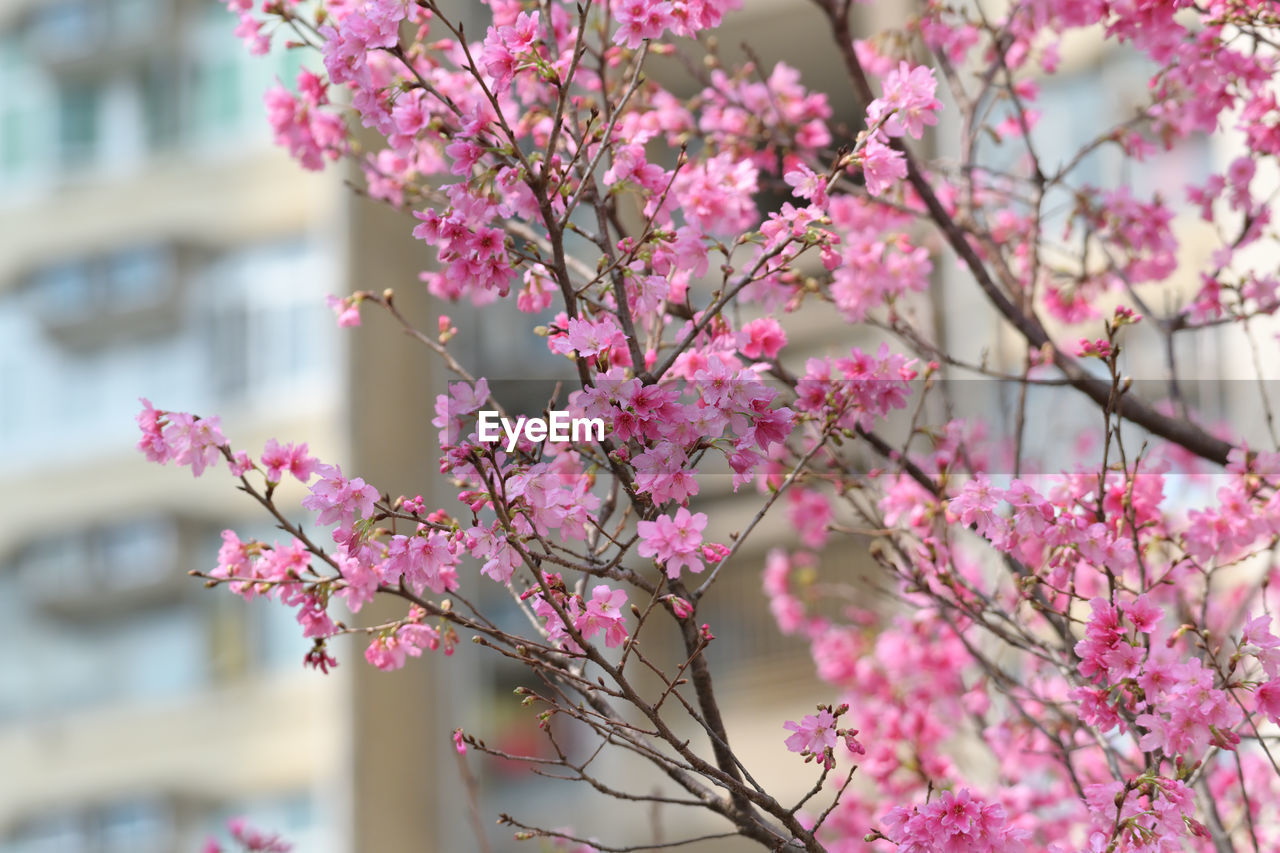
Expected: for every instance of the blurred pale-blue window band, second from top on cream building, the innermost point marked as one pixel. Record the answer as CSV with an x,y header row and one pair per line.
x,y
83,340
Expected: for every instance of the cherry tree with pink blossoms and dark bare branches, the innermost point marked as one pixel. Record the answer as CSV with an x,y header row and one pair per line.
x,y
1098,630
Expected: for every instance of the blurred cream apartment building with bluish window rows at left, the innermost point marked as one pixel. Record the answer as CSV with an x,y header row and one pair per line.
x,y
154,243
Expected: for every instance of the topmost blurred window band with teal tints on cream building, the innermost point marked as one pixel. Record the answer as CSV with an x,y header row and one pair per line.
x,y
95,85
